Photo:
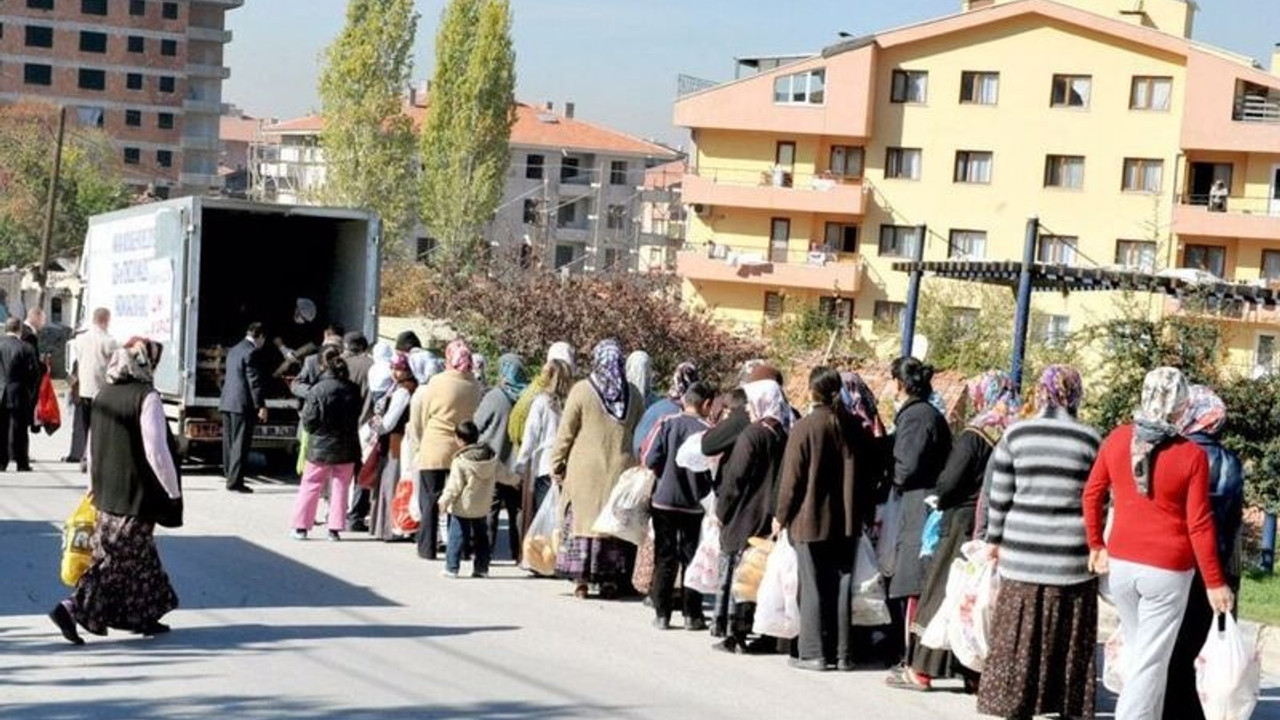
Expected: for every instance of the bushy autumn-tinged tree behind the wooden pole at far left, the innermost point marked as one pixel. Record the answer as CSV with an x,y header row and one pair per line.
x,y
92,183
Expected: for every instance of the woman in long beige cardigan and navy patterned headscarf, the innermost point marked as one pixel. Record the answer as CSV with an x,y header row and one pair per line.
x,y
593,448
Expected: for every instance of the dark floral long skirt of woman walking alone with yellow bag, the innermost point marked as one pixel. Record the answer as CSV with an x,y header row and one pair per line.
x,y
126,587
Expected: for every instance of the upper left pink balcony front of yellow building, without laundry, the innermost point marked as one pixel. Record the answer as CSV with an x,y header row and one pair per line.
x,y
769,190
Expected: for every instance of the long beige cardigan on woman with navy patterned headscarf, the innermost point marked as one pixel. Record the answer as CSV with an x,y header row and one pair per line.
x,y
592,450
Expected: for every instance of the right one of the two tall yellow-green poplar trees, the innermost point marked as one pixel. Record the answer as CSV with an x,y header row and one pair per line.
x,y
465,143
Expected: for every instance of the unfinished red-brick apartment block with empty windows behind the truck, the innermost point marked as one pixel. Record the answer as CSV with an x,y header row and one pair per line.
x,y
147,72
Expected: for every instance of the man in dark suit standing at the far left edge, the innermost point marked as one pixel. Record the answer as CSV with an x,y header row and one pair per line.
x,y
20,379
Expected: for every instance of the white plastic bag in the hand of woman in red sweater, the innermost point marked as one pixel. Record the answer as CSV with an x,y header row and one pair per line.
x,y
1228,675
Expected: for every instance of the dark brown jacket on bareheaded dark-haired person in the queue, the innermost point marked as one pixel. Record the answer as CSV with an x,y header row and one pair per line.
x,y
821,494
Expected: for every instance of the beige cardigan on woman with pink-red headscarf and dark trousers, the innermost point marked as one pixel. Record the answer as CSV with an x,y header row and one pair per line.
x,y
449,400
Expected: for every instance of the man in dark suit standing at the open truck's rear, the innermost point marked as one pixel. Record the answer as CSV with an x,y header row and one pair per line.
x,y
244,405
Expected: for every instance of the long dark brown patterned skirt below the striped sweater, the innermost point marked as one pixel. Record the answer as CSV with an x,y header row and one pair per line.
x,y
1043,651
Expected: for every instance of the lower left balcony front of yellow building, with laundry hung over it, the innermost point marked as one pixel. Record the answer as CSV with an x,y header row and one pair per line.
x,y
812,271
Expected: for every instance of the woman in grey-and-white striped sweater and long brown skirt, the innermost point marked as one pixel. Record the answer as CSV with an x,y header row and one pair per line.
x,y
1046,617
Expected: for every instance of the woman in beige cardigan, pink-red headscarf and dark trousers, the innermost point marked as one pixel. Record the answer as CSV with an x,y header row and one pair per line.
x,y
446,402
